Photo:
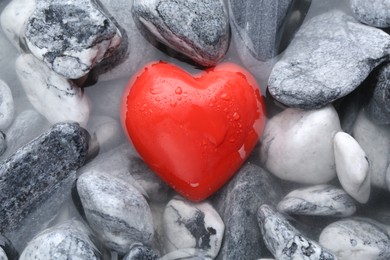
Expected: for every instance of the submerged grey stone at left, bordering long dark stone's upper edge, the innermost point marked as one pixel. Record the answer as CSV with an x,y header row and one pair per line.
x,y
26,126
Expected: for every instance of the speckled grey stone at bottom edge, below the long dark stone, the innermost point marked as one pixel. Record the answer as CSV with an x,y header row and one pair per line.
x,y
69,240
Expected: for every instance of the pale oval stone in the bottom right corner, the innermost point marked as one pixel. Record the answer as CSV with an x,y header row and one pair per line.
x,y
356,239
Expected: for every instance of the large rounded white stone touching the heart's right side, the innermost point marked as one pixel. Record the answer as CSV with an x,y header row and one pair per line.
x,y
297,145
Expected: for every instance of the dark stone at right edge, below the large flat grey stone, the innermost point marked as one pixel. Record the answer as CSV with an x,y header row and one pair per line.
x,y
379,106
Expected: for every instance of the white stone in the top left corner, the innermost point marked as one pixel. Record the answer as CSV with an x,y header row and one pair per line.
x,y
13,19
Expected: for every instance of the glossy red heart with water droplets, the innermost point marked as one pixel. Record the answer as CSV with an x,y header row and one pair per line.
x,y
193,132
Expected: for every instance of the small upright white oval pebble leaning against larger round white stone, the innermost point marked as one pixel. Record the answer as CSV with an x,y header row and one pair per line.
x,y
352,167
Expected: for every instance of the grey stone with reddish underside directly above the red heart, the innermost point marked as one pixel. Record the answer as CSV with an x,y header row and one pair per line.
x,y
198,29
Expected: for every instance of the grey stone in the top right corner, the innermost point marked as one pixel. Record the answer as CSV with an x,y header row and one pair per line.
x,y
374,12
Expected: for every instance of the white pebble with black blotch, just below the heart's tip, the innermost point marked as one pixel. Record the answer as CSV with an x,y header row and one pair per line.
x,y
196,226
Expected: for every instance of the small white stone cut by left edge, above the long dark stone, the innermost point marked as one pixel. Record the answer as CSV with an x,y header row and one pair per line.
x,y
7,108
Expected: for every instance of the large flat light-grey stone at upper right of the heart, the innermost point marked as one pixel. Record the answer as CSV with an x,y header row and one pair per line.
x,y
328,58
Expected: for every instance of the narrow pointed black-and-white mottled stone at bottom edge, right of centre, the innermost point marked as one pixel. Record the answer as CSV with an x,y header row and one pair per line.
x,y
284,241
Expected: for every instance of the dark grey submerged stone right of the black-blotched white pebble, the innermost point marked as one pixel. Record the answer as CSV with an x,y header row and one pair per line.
x,y
237,203
